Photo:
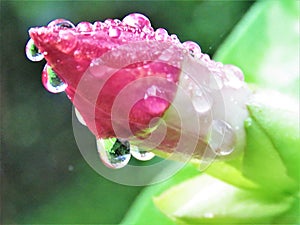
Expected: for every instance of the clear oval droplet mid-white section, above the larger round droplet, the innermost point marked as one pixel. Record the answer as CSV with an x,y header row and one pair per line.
x,y
201,102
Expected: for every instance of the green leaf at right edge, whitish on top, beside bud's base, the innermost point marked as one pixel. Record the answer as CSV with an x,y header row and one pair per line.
x,y
273,142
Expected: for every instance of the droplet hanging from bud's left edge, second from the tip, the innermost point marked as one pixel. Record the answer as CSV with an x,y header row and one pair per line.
x,y
51,81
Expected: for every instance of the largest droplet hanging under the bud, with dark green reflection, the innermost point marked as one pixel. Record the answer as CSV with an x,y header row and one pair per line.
x,y
113,152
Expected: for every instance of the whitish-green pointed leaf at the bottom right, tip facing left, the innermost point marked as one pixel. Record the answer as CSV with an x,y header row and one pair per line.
x,y
204,199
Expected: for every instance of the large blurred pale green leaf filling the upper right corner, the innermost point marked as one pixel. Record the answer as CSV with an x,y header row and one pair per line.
x,y
265,45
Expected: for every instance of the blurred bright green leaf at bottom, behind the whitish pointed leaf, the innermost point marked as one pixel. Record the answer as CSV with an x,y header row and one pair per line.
x,y
143,211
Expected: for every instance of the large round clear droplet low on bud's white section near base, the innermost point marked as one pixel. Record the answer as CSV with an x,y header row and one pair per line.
x,y
222,138
